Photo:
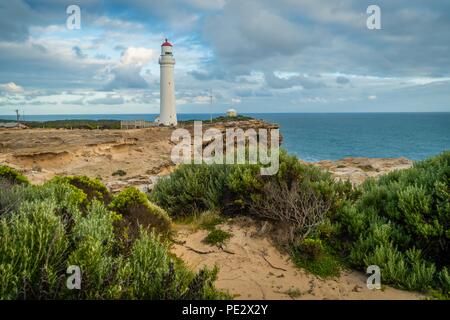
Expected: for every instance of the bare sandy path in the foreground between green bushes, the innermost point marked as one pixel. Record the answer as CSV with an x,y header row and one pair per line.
x,y
246,274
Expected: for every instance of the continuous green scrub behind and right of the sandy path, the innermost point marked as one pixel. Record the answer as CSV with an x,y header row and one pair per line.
x,y
400,222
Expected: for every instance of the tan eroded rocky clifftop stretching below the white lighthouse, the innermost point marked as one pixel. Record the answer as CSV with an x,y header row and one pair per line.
x,y
139,155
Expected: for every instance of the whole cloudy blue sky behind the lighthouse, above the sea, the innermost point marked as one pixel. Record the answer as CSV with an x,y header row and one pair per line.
x,y
253,55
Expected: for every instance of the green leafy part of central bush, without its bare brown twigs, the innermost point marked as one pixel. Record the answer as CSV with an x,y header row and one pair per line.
x,y
234,189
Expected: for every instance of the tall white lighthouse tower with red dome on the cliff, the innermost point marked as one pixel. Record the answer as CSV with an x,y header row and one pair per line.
x,y
167,112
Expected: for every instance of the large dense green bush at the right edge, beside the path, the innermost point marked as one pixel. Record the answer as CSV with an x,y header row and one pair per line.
x,y
401,222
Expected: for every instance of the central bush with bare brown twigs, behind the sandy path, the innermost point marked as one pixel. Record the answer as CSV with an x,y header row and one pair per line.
x,y
299,201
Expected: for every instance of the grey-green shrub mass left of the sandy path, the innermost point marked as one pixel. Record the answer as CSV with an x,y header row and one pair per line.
x,y
45,229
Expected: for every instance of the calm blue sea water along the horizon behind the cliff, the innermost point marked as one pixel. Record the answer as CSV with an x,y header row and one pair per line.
x,y
320,136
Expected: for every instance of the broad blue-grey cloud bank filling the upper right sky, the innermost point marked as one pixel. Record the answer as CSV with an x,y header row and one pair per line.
x,y
319,35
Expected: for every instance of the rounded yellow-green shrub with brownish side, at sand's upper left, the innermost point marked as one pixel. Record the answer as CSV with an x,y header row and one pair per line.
x,y
134,206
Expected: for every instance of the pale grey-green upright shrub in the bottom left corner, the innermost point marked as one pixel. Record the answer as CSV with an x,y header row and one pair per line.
x,y
32,251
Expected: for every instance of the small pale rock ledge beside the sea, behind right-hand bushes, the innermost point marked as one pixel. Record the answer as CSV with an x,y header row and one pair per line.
x,y
356,170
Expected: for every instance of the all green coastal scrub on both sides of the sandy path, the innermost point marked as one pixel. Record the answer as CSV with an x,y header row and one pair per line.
x,y
400,222
